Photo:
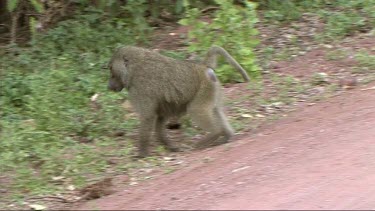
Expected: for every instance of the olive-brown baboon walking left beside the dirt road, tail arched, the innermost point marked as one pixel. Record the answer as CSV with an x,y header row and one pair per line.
x,y
161,87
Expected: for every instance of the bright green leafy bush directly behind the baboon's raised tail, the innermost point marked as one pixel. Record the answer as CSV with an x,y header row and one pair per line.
x,y
232,27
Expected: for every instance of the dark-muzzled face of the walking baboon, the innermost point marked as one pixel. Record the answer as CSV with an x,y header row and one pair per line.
x,y
117,68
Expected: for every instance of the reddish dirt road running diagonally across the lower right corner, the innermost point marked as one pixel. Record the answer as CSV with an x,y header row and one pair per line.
x,y
320,157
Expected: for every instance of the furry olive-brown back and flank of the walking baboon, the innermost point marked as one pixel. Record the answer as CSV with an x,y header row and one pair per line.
x,y
162,77
